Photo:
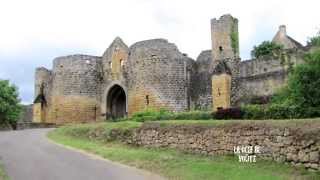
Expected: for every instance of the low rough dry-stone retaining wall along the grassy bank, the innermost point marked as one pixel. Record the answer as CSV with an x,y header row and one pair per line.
x,y
295,144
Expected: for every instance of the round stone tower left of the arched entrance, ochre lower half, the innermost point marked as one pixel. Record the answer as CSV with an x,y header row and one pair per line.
x,y
75,87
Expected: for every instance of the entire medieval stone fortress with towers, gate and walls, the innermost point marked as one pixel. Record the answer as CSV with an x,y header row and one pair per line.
x,y
155,74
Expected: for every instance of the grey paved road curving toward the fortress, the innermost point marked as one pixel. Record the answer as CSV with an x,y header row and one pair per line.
x,y
29,155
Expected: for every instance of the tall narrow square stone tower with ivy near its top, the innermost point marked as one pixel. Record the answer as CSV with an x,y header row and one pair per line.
x,y
225,55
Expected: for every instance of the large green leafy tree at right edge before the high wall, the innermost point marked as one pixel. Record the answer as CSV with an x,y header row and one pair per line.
x,y
302,90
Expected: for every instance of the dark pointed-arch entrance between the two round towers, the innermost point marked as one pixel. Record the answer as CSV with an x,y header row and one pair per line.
x,y
116,102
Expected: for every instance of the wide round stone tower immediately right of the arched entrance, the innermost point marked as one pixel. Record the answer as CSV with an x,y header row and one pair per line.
x,y
158,76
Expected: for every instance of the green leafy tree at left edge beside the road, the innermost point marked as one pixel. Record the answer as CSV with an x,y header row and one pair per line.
x,y
10,108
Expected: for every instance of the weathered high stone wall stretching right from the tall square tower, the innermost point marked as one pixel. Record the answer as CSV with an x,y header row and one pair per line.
x,y
264,76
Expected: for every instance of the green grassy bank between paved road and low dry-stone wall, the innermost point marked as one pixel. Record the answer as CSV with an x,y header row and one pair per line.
x,y
174,164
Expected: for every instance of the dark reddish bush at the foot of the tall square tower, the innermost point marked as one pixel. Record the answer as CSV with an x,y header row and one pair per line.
x,y
228,113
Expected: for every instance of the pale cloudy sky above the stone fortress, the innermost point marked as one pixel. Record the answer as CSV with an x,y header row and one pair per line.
x,y
33,32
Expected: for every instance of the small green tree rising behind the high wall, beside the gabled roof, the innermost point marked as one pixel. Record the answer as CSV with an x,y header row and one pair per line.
x,y
266,48
